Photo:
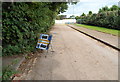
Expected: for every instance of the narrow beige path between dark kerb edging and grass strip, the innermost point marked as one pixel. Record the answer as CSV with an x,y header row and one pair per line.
x,y
108,38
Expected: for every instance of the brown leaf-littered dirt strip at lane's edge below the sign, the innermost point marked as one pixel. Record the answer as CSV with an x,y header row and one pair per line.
x,y
28,63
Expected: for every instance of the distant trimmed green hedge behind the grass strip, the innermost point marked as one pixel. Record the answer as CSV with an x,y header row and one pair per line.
x,y
107,19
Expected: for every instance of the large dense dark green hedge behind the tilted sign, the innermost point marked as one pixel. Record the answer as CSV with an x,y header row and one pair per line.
x,y
22,22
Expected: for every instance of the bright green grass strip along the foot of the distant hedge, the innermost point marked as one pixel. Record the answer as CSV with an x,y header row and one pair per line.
x,y
101,29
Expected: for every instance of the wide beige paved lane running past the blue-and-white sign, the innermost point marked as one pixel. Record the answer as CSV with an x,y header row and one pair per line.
x,y
74,56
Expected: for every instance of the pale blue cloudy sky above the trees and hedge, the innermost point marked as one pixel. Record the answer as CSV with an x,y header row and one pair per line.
x,y
84,6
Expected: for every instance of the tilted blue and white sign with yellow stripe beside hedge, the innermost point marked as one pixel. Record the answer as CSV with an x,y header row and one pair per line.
x,y
44,41
